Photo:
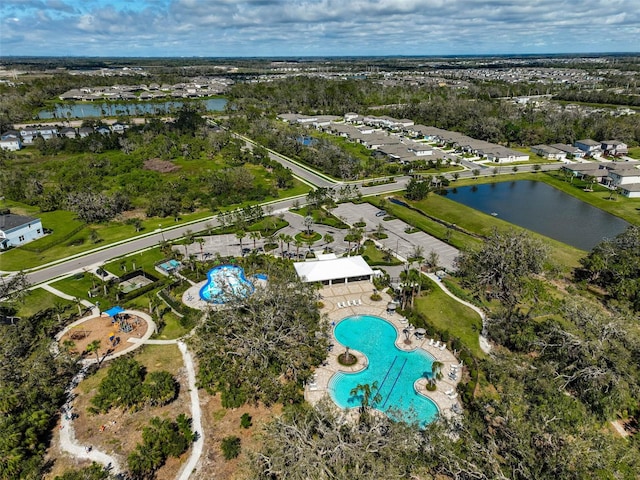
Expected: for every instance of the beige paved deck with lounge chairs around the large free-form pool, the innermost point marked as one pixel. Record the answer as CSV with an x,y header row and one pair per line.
x,y
361,292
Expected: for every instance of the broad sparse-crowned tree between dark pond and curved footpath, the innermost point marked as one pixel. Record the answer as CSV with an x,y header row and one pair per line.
x,y
503,266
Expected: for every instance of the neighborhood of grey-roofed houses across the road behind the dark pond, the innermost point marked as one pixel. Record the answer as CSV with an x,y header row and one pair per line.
x,y
403,141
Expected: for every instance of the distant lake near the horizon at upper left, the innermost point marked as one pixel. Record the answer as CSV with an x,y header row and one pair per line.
x,y
104,109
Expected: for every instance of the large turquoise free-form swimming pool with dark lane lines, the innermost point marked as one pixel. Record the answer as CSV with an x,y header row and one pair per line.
x,y
394,370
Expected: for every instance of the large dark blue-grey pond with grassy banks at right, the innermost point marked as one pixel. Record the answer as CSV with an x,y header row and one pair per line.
x,y
542,209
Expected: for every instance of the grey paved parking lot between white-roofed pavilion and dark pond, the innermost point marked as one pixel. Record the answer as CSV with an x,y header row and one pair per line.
x,y
398,241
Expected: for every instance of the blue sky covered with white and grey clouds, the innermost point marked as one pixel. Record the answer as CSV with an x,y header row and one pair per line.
x,y
223,28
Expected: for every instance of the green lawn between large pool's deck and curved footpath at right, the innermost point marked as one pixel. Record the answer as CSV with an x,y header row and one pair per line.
x,y
445,313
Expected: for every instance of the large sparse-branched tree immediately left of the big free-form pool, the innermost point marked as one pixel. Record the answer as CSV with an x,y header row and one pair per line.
x,y
265,346
